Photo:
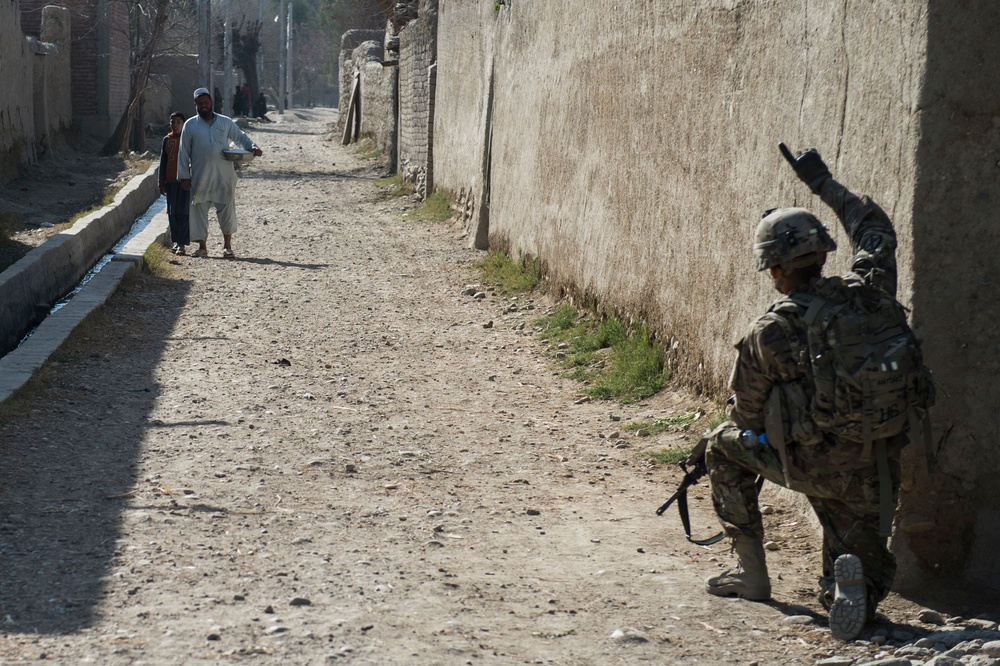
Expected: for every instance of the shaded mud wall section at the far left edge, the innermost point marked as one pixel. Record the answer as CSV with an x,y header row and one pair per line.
x,y
17,126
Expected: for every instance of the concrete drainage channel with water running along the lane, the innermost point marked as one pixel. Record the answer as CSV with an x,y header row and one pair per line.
x,y
70,275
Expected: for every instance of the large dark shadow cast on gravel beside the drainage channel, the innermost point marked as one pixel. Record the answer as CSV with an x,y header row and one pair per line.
x,y
70,443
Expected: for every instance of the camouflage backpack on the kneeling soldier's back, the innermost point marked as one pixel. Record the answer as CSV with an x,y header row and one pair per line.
x,y
865,378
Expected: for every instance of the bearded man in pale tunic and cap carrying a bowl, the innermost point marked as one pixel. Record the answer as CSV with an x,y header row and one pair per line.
x,y
202,169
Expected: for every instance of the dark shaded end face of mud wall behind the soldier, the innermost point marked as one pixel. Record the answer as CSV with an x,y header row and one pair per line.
x,y
948,529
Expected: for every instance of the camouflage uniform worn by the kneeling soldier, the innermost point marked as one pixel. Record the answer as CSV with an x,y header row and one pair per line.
x,y
842,489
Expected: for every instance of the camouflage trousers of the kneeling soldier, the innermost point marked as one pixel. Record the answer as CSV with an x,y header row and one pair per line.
x,y
846,501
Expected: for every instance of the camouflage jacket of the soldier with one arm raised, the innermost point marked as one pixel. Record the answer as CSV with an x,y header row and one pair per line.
x,y
765,354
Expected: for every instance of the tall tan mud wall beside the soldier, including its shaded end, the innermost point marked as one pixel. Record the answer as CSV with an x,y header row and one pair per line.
x,y
633,147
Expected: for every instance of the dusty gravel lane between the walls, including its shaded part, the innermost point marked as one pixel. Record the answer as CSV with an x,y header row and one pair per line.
x,y
323,451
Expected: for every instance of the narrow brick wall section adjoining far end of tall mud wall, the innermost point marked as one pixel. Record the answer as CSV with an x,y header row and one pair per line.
x,y
417,65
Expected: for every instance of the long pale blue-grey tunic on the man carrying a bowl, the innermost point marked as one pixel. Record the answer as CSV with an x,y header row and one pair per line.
x,y
213,178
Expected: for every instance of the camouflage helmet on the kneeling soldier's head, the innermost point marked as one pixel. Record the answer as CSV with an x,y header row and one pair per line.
x,y
791,238
